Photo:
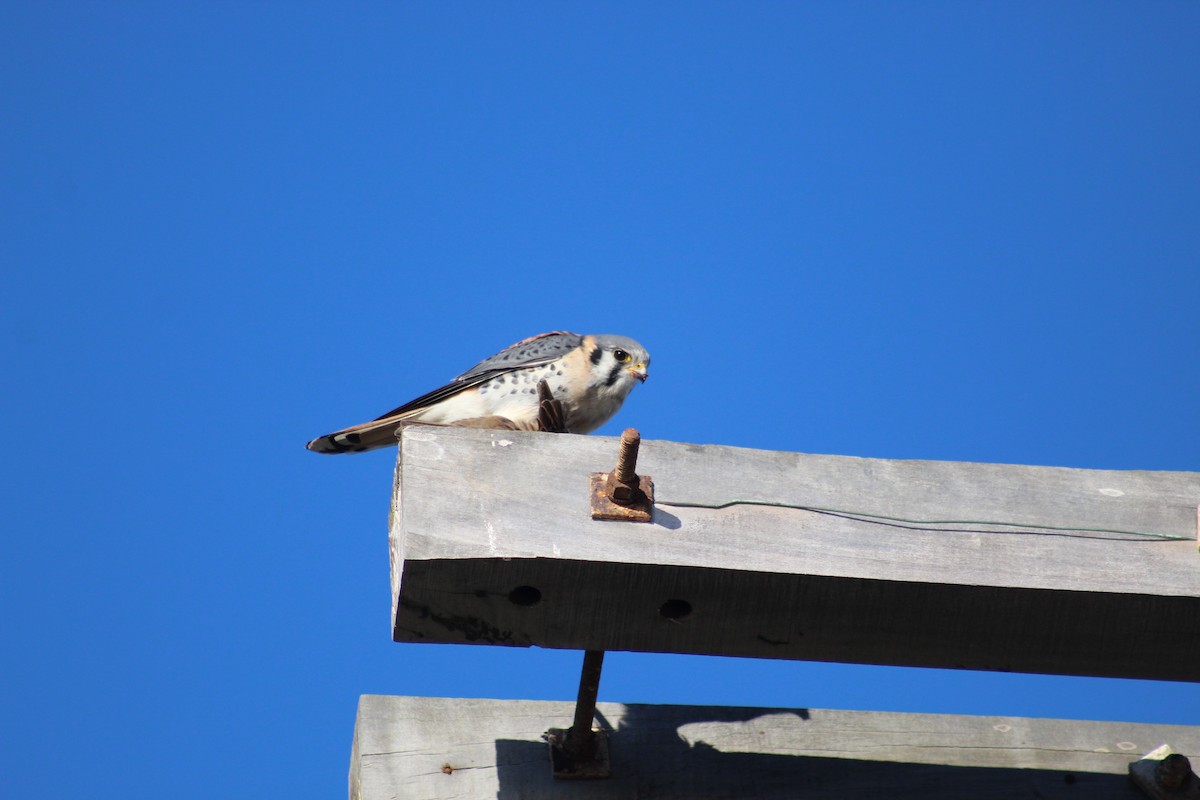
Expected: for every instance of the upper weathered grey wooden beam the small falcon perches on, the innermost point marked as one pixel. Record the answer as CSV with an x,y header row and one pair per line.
x,y
493,544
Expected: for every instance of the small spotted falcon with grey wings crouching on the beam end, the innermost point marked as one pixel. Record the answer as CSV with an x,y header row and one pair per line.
x,y
590,376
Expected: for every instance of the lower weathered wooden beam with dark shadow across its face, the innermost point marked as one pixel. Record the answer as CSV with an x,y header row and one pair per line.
x,y
439,748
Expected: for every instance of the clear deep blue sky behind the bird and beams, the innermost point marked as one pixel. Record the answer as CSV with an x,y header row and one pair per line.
x,y
911,231
